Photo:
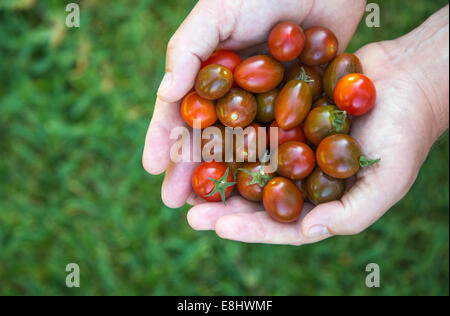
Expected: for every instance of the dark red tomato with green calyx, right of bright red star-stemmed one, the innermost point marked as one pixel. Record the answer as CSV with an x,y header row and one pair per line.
x,y
252,192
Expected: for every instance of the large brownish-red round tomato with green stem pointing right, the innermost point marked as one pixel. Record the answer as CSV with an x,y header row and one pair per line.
x,y
338,156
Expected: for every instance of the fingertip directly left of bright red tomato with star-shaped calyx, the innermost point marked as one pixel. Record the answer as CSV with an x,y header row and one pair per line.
x,y
177,187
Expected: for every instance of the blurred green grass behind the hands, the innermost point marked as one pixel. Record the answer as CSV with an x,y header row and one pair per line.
x,y
74,109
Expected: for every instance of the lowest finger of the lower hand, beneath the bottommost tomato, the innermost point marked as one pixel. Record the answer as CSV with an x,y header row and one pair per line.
x,y
259,227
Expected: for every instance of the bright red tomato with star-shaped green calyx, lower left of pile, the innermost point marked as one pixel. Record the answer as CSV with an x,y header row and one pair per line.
x,y
202,185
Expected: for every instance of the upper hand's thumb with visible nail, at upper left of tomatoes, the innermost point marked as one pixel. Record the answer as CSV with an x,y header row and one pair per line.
x,y
194,41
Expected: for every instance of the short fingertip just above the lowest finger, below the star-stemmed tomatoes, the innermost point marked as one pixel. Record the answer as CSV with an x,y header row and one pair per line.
x,y
205,215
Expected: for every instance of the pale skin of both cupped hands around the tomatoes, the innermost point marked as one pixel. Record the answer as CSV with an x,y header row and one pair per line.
x,y
411,77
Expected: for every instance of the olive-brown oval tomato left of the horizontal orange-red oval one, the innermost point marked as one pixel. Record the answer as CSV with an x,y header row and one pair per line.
x,y
213,81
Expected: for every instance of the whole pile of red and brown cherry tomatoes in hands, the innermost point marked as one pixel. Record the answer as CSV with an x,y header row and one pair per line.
x,y
304,89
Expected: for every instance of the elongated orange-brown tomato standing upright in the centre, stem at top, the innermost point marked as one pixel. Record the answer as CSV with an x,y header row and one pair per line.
x,y
293,104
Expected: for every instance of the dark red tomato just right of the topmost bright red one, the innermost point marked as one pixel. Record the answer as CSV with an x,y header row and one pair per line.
x,y
321,45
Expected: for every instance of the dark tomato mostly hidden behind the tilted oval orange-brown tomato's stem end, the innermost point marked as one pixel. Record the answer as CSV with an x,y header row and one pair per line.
x,y
311,75
